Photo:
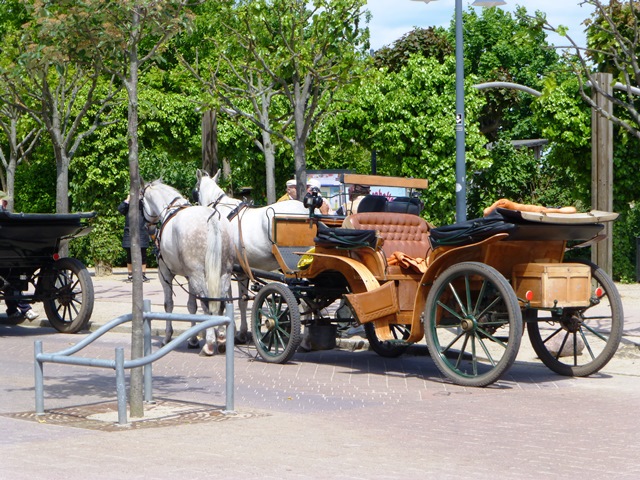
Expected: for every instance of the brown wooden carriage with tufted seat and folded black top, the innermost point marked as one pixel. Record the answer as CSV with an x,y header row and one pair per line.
x,y
468,290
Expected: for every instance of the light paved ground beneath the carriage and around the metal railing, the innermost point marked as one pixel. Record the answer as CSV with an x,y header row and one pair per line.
x,y
332,414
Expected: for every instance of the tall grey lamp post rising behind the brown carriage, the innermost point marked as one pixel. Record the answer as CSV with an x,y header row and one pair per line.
x,y
461,169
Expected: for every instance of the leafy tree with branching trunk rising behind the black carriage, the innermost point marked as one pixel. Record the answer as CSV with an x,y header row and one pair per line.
x,y
57,85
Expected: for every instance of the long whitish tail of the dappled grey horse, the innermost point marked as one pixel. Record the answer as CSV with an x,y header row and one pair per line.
x,y
218,265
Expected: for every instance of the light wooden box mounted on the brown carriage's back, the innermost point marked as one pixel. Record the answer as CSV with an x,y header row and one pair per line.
x,y
553,284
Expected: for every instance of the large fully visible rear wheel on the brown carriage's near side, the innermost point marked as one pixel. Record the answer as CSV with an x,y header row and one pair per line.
x,y
473,324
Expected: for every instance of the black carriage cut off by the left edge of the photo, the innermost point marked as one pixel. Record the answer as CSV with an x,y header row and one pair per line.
x,y
31,269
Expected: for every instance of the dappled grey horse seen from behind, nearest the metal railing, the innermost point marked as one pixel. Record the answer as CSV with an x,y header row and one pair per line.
x,y
194,242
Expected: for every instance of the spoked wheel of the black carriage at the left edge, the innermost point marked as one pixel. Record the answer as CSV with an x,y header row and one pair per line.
x,y
69,295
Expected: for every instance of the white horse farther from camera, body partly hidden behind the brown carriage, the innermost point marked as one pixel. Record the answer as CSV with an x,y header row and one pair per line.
x,y
250,227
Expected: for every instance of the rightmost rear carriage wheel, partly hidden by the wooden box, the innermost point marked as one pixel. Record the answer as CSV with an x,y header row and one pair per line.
x,y
580,341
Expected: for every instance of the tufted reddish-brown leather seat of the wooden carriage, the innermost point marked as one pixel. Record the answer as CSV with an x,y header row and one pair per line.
x,y
401,232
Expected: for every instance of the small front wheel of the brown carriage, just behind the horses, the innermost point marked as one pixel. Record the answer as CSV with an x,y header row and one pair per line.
x,y
275,323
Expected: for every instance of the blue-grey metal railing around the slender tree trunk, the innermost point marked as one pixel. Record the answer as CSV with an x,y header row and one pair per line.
x,y
119,364
